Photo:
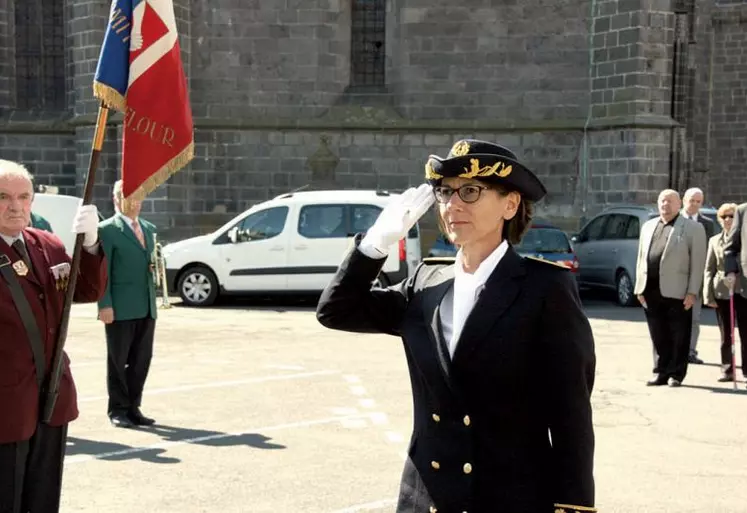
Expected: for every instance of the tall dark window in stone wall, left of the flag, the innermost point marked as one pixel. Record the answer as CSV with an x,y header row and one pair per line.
x,y
40,54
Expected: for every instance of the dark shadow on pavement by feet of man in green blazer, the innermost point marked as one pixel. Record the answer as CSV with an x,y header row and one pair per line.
x,y
169,435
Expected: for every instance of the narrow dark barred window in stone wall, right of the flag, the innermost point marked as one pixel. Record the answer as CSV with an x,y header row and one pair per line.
x,y
367,55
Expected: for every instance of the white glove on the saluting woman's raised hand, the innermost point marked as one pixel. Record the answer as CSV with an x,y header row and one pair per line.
x,y
400,214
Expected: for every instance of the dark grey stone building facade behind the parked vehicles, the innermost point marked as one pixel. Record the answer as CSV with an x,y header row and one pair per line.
x,y
608,100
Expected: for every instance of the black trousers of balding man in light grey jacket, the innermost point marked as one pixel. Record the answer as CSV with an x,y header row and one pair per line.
x,y
670,326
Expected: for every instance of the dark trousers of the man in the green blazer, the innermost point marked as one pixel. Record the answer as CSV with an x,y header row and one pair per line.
x,y
129,347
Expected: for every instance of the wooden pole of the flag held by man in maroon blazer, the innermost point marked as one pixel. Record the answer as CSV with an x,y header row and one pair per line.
x,y
53,385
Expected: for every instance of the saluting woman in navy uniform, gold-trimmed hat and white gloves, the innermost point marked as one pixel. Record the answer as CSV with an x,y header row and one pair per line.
x,y
500,353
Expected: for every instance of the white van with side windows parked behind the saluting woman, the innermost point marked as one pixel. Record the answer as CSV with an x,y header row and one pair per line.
x,y
291,244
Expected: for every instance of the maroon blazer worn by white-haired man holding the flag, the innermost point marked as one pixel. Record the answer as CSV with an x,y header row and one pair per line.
x,y
19,394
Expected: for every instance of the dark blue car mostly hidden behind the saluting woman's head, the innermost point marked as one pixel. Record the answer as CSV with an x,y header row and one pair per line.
x,y
542,240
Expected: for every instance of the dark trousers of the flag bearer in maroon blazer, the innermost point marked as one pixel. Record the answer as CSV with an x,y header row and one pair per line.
x,y
31,472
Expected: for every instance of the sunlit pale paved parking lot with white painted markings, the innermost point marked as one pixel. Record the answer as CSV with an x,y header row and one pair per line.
x,y
260,409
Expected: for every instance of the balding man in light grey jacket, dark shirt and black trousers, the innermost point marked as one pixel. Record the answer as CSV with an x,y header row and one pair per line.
x,y
669,276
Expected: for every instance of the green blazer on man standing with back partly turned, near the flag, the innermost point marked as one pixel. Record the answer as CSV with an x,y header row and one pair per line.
x,y
130,290
